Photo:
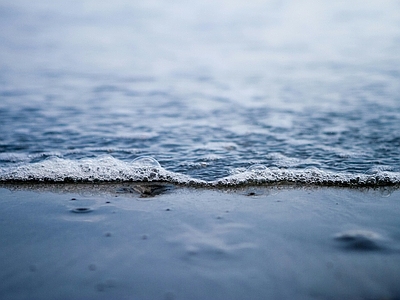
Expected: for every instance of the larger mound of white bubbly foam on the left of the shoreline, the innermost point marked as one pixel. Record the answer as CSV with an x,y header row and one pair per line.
x,y
102,169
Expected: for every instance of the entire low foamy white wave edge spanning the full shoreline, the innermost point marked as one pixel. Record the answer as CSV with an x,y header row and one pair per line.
x,y
147,169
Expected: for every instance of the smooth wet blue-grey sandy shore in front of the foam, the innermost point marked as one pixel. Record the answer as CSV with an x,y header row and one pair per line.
x,y
165,242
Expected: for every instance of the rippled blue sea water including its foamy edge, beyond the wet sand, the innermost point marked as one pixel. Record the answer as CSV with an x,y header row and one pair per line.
x,y
216,92
